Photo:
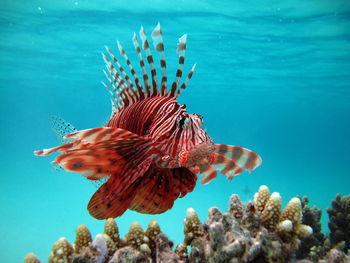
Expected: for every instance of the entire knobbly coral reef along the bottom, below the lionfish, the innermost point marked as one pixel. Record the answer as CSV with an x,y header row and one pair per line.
x,y
258,231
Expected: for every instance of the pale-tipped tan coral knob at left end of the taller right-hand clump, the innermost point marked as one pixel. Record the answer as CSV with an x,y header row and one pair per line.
x,y
193,226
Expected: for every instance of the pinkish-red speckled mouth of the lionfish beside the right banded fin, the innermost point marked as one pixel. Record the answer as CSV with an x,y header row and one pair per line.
x,y
197,154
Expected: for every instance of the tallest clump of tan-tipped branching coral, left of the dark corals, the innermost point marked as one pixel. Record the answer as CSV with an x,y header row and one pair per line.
x,y
247,235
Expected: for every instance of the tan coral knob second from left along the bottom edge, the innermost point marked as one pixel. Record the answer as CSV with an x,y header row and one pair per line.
x,y
62,251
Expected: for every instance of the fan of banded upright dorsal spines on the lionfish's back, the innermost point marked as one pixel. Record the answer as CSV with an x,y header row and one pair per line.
x,y
124,91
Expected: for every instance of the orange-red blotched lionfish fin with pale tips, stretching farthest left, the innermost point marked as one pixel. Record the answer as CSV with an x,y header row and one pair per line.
x,y
101,151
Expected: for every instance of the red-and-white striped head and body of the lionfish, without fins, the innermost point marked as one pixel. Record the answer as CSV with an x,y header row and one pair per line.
x,y
166,123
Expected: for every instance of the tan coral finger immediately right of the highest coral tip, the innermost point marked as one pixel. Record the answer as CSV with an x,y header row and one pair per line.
x,y
270,216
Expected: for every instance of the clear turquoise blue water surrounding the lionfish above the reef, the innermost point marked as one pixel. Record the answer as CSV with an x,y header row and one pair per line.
x,y
272,76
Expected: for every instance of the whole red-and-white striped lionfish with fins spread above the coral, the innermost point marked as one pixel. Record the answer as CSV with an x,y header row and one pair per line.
x,y
151,149
